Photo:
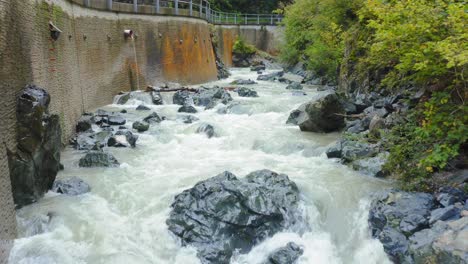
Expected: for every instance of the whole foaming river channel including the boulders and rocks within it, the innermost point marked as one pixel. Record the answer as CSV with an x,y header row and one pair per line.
x,y
136,180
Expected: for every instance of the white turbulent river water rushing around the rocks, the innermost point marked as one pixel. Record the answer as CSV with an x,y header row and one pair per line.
x,y
123,219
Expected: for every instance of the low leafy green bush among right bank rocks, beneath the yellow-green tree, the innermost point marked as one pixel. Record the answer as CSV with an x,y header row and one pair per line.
x,y
433,135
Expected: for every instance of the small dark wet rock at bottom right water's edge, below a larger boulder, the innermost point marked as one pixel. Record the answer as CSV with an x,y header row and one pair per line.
x,y
395,244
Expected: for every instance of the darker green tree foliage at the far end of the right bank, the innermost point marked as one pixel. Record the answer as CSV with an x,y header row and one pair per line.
x,y
315,33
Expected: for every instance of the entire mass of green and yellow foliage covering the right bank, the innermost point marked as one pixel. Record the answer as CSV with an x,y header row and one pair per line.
x,y
389,46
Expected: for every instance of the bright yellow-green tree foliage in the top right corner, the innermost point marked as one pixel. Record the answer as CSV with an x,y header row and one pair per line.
x,y
419,41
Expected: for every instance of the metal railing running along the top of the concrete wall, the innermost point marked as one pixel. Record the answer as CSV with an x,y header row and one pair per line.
x,y
190,8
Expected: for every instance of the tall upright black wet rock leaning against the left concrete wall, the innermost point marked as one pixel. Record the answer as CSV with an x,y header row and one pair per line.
x,y
35,162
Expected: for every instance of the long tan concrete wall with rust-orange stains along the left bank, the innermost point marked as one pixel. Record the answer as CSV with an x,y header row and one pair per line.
x,y
89,64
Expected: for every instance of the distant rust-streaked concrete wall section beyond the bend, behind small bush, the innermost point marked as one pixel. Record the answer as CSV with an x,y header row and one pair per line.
x,y
265,38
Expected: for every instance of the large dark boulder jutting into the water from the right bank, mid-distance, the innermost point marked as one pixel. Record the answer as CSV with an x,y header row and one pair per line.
x,y
322,115
